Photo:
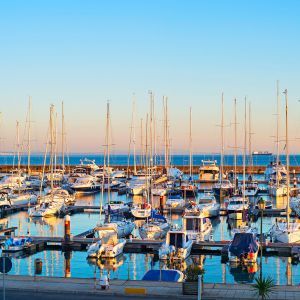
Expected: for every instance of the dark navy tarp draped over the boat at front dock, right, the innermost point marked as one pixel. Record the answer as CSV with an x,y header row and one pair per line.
x,y
243,243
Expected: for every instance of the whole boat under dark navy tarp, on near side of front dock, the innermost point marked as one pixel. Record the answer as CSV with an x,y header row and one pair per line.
x,y
243,248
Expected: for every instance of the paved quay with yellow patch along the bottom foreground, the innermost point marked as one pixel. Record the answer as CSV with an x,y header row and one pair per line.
x,y
75,288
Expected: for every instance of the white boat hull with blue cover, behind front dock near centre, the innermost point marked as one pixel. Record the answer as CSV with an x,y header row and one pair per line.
x,y
155,228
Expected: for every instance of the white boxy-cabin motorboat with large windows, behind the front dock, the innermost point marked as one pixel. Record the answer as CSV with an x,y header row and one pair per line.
x,y
197,226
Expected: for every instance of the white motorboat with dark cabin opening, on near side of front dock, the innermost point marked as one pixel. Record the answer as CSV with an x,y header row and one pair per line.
x,y
177,247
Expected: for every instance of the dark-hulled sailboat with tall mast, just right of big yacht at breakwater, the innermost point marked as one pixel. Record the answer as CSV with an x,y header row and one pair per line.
x,y
223,188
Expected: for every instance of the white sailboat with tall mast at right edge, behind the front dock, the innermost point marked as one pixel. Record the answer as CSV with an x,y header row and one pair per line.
x,y
284,230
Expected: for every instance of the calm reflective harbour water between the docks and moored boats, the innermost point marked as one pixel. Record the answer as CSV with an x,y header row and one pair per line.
x,y
134,266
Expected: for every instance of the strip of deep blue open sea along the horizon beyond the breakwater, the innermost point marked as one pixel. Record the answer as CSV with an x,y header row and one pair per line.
x,y
122,160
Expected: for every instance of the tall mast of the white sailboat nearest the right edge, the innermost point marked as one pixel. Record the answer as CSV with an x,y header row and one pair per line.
x,y
287,159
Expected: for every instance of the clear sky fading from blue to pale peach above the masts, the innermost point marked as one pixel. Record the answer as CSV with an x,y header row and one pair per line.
x,y
85,52
